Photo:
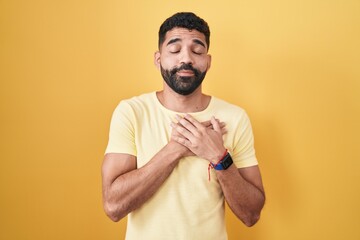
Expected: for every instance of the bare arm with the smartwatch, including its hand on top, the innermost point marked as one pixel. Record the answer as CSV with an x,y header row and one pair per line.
x,y
242,188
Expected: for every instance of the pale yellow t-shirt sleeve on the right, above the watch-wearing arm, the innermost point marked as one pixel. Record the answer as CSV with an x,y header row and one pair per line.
x,y
243,153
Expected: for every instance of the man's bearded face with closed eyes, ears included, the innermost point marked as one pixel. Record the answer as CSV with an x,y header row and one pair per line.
x,y
183,60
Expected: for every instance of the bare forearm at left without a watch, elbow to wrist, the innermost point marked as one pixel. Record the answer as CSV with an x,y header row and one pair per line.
x,y
132,189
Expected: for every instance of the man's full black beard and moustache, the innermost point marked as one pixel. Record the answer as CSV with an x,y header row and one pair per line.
x,y
183,85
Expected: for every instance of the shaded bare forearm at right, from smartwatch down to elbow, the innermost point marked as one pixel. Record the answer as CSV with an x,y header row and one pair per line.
x,y
244,198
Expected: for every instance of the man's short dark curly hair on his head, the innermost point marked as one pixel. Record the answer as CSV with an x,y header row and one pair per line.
x,y
186,20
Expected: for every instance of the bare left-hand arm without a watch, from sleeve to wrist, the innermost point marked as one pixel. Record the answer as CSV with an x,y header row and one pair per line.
x,y
126,188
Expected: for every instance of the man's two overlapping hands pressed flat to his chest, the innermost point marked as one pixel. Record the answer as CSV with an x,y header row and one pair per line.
x,y
204,141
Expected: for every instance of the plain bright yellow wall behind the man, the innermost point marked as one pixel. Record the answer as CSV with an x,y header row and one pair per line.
x,y
293,65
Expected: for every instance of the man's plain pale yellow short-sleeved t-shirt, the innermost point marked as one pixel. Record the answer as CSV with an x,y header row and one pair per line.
x,y
187,206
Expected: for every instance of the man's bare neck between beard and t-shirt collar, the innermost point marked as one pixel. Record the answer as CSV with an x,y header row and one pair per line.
x,y
194,102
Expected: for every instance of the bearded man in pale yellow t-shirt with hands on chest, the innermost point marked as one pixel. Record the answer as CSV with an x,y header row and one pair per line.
x,y
169,162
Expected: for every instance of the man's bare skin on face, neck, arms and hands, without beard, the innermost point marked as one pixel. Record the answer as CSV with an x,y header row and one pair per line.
x,y
126,187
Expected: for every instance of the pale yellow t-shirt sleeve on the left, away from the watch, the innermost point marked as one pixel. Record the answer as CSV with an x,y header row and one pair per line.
x,y
122,131
